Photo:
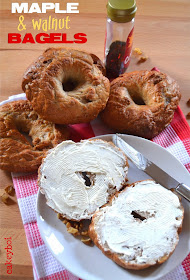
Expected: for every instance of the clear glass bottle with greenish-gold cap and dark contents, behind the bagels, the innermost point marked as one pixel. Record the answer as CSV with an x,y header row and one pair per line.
x,y
119,36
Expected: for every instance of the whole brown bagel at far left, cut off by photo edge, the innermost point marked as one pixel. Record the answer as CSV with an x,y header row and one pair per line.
x,y
17,154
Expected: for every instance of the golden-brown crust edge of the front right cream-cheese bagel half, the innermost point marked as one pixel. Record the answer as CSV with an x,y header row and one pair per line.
x,y
114,256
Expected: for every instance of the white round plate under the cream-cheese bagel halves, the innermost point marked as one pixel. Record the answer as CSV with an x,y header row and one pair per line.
x,y
89,263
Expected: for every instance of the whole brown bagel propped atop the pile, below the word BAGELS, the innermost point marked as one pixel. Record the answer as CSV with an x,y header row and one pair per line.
x,y
66,86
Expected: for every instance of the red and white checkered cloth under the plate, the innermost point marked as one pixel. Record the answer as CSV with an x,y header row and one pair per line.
x,y
175,138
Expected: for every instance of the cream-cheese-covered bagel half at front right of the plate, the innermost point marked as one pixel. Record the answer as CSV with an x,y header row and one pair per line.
x,y
139,227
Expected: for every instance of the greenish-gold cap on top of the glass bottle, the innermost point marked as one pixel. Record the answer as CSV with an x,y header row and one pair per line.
x,y
121,10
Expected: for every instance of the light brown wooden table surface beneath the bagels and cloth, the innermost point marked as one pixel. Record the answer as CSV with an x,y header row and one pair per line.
x,y
162,31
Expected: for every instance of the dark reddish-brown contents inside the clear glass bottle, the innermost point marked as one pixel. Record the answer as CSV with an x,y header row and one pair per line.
x,y
115,60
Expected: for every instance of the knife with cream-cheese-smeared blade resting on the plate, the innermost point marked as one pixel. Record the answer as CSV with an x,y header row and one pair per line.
x,y
155,172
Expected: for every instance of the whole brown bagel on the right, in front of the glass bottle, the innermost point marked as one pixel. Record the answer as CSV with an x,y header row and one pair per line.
x,y
141,103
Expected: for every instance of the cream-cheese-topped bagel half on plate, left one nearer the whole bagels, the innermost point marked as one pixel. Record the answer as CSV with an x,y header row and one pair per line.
x,y
77,178
